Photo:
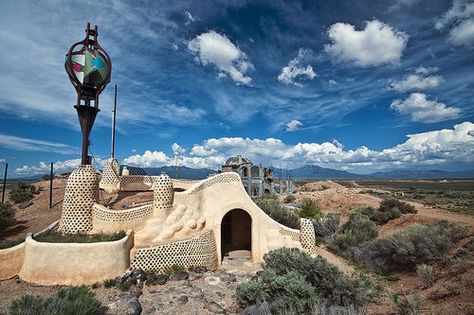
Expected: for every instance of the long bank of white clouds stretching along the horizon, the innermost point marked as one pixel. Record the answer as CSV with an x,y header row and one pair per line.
x,y
431,148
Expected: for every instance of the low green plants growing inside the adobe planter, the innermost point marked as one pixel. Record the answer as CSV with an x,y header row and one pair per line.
x,y
53,236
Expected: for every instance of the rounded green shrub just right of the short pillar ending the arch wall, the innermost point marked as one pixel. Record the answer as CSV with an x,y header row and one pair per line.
x,y
358,229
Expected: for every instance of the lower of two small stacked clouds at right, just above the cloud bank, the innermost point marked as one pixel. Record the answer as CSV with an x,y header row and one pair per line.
x,y
423,110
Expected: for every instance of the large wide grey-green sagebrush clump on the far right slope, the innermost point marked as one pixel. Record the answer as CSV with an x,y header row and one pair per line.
x,y
406,248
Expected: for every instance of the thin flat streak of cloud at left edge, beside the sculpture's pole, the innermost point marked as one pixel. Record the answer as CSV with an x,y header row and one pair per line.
x,y
29,144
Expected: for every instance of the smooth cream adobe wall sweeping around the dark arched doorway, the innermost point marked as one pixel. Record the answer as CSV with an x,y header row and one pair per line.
x,y
224,192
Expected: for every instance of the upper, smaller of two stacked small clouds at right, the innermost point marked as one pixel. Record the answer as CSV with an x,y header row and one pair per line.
x,y
422,79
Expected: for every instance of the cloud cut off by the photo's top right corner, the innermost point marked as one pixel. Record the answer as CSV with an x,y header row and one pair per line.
x,y
459,21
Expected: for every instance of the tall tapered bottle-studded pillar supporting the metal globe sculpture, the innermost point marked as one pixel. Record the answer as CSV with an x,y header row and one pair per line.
x,y
82,191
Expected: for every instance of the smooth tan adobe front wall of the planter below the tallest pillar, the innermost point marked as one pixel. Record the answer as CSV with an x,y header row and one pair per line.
x,y
75,263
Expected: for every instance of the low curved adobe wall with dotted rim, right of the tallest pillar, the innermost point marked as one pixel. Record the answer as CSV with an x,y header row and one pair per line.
x,y
109,220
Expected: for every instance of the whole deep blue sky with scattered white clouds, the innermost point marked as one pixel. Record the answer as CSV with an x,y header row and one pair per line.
x,y
360,86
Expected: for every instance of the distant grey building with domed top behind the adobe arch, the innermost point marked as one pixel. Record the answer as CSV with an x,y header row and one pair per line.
x,y
257,180
